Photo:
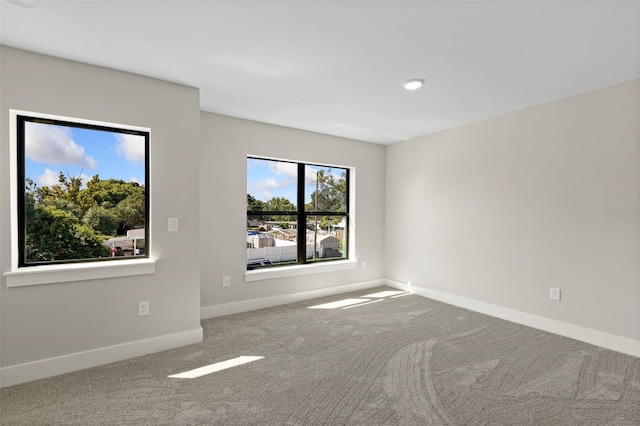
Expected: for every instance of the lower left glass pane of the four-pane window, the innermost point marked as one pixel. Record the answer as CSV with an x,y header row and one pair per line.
x,y
271,240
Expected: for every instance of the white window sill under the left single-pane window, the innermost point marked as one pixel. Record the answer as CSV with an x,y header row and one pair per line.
x,y
37,275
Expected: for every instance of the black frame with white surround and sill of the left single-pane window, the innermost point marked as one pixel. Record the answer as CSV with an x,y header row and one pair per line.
x,y
21,273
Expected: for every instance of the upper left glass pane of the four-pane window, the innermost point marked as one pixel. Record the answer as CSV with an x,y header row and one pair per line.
x,y
271,185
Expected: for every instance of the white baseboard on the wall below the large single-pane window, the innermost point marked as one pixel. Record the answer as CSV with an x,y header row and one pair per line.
x,y
41,369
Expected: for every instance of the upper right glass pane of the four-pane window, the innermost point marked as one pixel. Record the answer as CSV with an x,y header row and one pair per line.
x,y
325,189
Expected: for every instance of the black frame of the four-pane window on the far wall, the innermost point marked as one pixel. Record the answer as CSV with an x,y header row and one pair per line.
x,y
302,214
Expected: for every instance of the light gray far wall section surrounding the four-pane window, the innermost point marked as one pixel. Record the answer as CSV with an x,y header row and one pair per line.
x,y
226,143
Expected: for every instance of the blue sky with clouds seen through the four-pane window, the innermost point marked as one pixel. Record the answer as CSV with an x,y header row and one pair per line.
x,y
268,178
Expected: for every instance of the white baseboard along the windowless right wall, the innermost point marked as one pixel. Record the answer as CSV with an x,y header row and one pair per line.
x,y
587,335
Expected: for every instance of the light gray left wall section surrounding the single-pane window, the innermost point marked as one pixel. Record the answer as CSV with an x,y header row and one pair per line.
x,y
46,322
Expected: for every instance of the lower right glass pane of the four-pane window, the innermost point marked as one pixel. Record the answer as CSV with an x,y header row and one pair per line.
x,y
326,237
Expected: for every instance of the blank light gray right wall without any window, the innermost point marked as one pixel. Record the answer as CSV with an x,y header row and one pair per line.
x,y
500,210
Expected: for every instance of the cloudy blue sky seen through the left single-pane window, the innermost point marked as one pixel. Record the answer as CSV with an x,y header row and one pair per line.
x,y
51,149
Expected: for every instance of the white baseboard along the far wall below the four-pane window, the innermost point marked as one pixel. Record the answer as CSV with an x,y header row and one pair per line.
x,y
268,302
